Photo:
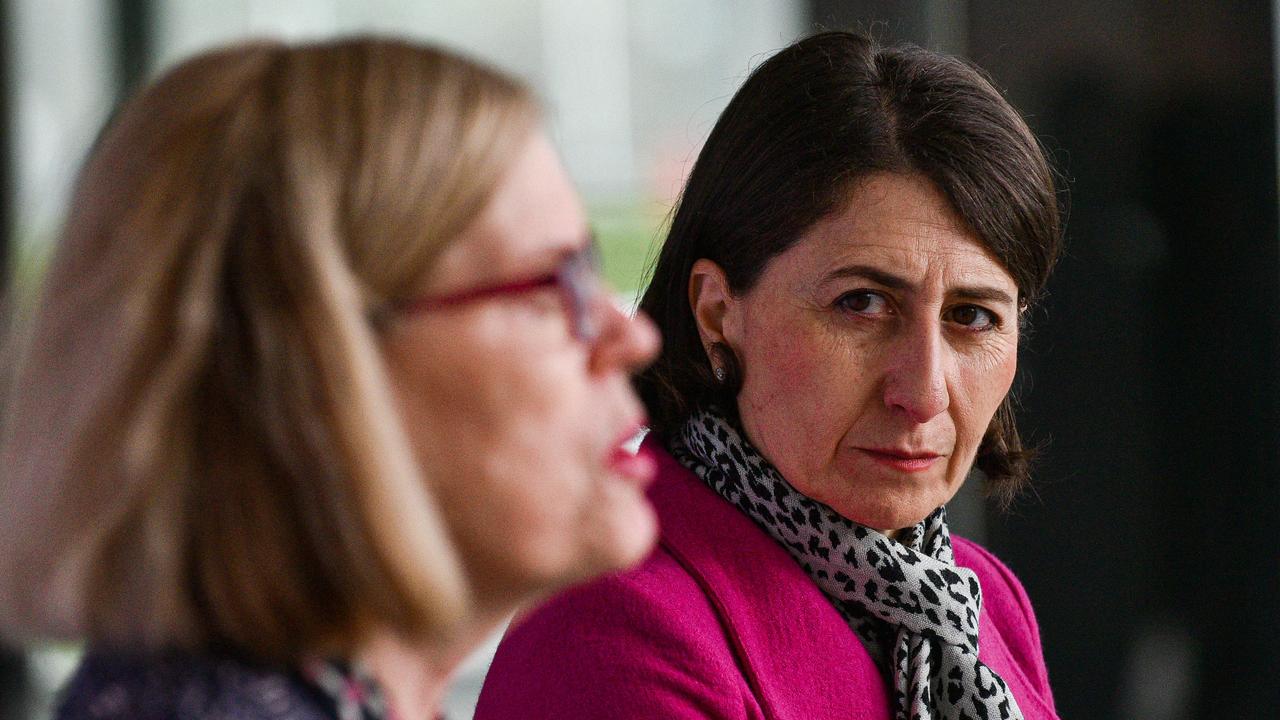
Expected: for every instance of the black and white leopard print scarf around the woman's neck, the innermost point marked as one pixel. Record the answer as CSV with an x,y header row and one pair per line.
x,y
915,610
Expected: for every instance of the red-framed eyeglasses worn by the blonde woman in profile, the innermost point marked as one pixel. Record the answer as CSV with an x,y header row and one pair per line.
x,y
578,279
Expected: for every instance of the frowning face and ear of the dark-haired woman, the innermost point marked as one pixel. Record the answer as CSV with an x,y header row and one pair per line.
x,y
875,352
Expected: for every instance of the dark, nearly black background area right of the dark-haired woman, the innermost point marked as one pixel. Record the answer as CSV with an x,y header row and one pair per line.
x,y
1151,553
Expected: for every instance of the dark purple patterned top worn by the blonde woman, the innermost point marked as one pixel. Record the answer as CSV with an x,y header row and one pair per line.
x,y
176,686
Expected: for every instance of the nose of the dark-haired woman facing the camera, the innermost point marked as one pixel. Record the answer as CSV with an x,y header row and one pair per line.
x,y
916,384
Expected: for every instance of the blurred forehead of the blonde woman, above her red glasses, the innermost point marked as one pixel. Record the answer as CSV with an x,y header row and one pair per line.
x,y
533,218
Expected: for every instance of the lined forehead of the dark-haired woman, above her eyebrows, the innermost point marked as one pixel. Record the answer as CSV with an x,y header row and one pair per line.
x,y
904,225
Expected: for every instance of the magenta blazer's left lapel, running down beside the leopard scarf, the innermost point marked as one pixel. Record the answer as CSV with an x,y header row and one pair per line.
x,y
797,653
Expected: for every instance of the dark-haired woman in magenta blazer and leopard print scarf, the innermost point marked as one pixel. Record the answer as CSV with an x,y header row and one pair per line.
x,y
840,297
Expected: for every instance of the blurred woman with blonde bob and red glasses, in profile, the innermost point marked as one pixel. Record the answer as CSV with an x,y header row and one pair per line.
x,y
321,386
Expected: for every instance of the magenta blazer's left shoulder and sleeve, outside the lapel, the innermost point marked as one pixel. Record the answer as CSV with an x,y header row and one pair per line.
x,y
646,644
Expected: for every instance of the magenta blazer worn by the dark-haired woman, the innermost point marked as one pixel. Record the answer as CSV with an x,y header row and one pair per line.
x,y
720,622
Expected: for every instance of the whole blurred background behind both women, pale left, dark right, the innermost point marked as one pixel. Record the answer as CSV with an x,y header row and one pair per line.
x,y
1151,379
